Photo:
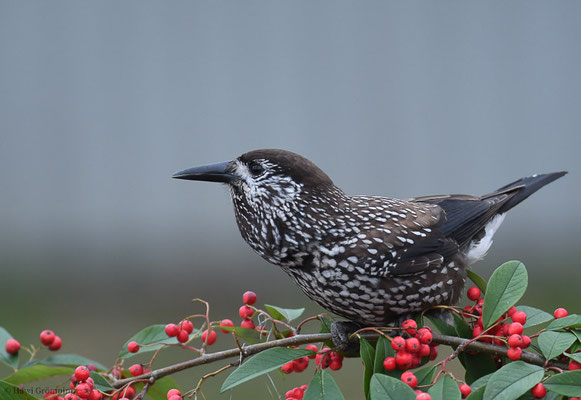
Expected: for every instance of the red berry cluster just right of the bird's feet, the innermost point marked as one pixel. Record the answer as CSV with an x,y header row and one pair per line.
x,y
409,352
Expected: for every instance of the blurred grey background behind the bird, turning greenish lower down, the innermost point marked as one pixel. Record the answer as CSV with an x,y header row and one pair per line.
x,y
100,102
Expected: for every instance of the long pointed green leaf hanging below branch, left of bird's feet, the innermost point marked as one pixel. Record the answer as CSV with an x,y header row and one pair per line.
x,y
262,363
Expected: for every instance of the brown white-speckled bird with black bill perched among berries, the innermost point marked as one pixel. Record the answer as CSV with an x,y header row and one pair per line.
x,y
370,259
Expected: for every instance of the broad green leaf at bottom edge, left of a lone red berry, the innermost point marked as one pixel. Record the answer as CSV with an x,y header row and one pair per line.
x,y
512,380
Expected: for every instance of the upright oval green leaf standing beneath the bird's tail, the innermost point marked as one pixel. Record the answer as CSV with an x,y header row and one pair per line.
x,y
506,286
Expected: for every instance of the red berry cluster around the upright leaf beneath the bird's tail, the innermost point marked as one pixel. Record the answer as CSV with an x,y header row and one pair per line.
x,y
504,331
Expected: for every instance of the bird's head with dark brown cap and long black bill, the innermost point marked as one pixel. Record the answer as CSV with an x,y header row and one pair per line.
x,y
263,177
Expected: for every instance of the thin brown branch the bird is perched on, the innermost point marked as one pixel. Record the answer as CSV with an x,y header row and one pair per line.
x,y
247,351
